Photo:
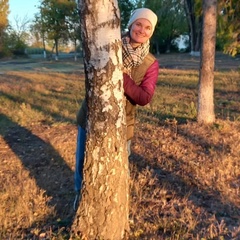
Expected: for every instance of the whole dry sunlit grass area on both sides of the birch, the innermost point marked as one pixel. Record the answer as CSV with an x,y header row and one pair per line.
x,y
185,178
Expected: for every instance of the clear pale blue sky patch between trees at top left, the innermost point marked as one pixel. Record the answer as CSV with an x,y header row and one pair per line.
x,y
21,9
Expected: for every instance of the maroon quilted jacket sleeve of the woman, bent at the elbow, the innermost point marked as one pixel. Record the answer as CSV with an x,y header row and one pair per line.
x,y
143,93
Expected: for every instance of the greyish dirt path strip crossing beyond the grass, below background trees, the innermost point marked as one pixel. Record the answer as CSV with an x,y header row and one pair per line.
x,y
184,61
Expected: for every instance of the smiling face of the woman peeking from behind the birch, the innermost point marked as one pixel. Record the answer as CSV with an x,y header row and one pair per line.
x,y
140,31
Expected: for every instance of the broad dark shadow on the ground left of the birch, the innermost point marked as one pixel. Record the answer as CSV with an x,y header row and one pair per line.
x,y
46,166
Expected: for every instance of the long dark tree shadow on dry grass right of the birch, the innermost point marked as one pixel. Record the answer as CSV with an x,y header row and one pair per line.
x,y
208,199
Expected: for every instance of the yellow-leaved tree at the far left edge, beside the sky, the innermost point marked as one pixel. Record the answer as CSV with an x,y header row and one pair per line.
x,y
4,11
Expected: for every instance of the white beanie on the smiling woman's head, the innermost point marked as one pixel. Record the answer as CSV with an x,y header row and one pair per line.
x,y
143,13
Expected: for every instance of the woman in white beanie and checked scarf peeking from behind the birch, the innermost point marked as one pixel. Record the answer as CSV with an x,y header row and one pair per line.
x,y
140,76
